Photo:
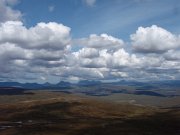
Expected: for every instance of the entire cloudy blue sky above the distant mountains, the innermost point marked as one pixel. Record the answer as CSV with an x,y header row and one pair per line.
x,y
71,40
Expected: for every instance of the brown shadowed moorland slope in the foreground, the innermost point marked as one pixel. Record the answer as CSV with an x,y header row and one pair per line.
x,y
46,113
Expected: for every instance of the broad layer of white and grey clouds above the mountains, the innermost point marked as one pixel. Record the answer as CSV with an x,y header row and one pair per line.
x,y
43,52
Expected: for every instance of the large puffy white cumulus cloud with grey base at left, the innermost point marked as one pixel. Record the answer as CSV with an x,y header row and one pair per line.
x,y
42,36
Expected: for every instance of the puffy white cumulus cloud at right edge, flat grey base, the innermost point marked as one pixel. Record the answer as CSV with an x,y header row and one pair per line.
x,y
154,39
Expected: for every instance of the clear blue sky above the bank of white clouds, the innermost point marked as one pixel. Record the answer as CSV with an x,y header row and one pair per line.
x,y
119,18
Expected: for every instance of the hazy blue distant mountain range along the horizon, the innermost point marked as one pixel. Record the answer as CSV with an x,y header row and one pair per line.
x,y
86,83
